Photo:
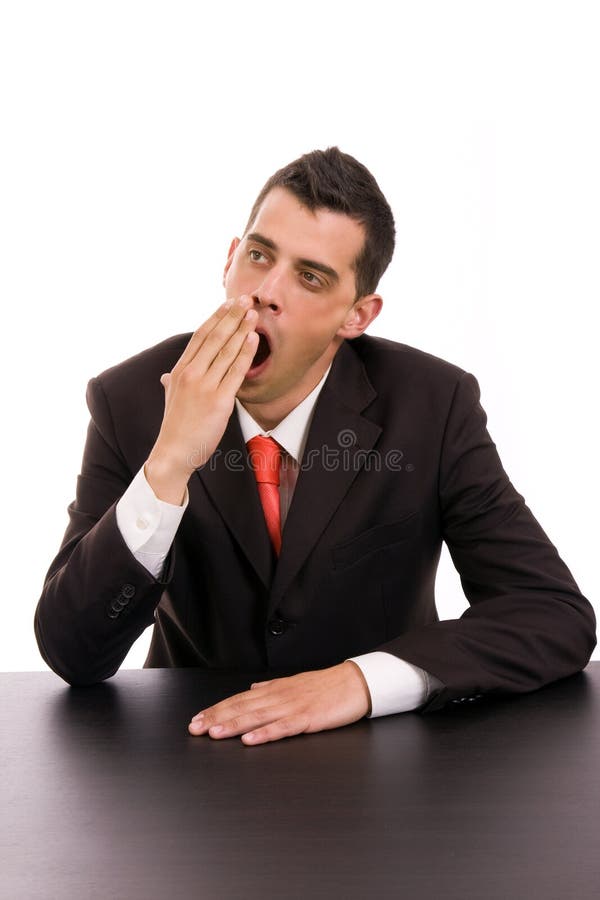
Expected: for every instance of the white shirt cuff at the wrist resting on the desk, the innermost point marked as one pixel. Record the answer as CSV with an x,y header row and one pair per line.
x,y
394,684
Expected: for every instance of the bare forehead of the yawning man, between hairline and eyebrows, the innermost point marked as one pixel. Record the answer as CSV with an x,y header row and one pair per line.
x,y
322,234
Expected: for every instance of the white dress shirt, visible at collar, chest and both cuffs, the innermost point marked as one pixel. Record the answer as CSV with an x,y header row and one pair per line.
x,y
148,526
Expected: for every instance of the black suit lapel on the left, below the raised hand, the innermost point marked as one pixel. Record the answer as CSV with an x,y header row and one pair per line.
x,y
230,482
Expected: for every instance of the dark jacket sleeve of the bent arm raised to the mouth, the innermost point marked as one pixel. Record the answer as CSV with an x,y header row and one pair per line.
x,y
97,599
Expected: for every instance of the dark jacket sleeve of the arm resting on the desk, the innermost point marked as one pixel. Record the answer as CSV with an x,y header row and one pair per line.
x,y
528,624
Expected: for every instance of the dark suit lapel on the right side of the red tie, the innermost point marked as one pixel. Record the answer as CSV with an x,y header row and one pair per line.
x,y
335,451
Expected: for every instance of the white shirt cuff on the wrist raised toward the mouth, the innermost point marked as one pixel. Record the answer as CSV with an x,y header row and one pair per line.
x,y
148,525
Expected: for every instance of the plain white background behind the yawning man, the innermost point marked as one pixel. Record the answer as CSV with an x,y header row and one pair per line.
x,y
135,137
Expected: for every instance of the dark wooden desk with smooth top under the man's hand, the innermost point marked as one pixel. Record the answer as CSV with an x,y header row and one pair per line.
x,y
105,795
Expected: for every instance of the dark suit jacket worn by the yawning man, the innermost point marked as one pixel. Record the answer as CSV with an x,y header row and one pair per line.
x,y
398,459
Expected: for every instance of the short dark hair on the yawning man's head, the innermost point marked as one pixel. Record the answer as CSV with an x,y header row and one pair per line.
x,y
330,179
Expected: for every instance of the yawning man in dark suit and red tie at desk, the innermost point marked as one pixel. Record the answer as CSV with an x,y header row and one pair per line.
x,y
280,501
